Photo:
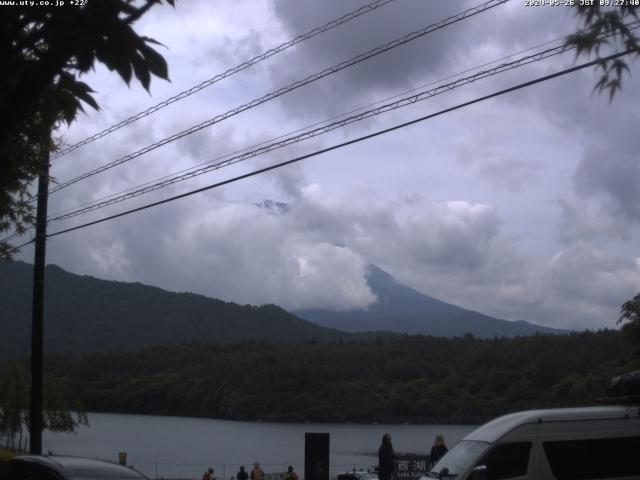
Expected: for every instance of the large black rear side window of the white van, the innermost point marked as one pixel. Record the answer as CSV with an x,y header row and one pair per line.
x,y
593,459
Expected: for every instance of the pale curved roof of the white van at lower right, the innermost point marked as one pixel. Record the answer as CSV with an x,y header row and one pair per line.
x,y
495,429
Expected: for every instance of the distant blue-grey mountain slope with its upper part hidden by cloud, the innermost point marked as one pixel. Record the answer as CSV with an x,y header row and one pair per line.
x,y
405,310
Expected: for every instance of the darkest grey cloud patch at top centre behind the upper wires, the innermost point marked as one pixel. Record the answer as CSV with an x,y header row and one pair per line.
x,y
388,72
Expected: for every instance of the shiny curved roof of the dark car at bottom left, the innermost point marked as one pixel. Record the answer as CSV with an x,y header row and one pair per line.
x,y
70,466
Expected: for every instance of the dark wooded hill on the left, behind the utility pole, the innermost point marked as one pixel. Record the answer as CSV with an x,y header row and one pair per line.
x,y
85,314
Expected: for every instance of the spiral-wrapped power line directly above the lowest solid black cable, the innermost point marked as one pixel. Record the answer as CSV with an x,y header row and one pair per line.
x,y
403,102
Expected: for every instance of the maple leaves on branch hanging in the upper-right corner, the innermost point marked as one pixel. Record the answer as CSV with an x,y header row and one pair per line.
x,y
598,21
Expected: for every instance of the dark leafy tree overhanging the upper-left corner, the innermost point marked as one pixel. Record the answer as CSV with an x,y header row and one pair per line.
x,y
43,51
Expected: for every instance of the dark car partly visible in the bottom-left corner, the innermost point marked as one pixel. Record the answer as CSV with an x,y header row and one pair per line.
x,y
60,467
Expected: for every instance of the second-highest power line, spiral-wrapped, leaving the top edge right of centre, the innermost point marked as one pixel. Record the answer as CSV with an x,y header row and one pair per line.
x,y
270,96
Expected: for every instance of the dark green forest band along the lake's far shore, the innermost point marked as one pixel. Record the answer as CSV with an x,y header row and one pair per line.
x,y
409,379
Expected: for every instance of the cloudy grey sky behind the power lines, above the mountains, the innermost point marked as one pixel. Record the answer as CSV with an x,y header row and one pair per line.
x,y
524,207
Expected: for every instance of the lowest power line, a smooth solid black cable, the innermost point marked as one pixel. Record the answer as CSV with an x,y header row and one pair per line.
x,y
341,145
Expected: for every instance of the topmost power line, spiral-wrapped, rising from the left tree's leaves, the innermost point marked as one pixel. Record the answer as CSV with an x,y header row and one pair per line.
x,y
232,71
